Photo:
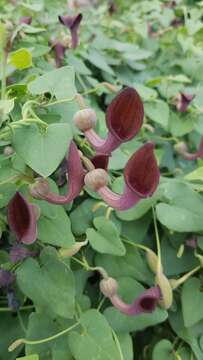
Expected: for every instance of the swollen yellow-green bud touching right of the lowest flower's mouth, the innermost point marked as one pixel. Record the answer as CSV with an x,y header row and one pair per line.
x,y
166,290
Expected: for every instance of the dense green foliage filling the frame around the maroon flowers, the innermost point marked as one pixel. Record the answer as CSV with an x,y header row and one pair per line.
x,y
156,47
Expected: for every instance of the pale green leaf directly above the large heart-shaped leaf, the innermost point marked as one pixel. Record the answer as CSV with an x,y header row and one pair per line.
x,y
59,82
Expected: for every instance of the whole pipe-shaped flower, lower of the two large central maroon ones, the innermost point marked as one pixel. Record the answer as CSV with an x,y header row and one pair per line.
x,y
141,176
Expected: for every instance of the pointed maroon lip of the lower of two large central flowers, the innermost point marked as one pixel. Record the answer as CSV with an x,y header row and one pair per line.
x,y
141,172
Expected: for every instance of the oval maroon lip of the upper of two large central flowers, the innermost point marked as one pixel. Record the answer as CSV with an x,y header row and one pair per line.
x,y
125,114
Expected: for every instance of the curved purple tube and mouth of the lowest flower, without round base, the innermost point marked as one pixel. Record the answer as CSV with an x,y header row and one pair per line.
x,y
145,303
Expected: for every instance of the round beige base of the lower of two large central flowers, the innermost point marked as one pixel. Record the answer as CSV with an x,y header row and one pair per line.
x,y
96,179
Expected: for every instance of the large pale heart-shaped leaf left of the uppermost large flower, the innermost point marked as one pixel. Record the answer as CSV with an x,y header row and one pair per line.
x,y
43,152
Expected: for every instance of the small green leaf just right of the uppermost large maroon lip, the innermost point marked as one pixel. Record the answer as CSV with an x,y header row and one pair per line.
x,y
158,111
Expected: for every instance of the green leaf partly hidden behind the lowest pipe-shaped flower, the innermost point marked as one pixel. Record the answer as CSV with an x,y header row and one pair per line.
x,y
129,289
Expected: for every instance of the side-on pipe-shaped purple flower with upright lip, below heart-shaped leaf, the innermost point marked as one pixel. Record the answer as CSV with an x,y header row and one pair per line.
x,y
75,179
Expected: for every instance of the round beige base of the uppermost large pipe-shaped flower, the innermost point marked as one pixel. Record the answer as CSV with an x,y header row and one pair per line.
x,y
85,119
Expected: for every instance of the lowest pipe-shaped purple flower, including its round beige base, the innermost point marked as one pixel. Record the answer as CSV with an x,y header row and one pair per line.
x,y
146,302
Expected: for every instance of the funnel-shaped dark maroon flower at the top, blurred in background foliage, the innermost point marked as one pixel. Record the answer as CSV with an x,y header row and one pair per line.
x,y
72,23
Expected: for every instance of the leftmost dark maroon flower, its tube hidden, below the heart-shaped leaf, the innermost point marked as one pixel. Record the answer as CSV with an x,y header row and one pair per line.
x,y
22,219
